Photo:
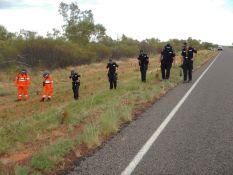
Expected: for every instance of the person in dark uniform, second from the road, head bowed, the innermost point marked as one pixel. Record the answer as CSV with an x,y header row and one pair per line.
x,y
166,59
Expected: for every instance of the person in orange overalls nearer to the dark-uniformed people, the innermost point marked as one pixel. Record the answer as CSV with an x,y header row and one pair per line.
x,y
47,86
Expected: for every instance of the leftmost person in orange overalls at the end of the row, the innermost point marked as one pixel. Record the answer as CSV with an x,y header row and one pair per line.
x,y
22,82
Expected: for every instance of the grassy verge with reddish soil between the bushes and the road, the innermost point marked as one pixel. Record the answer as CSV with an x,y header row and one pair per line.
x,y
53,129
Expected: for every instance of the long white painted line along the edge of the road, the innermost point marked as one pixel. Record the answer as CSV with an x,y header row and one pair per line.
x,y
133,164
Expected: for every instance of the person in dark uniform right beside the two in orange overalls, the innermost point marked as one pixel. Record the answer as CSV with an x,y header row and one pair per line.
x,y
75,83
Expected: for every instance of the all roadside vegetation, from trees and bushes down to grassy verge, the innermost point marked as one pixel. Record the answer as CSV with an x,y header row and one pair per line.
x,y
38,138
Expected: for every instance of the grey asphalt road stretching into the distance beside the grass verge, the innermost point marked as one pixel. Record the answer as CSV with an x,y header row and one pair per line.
x,y
198,140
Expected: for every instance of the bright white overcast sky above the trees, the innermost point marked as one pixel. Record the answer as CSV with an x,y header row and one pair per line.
x,y
207,20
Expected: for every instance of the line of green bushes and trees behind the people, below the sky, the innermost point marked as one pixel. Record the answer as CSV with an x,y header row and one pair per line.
x,y
81,41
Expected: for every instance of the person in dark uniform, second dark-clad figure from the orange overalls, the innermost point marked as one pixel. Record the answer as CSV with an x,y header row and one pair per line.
x,y
112,75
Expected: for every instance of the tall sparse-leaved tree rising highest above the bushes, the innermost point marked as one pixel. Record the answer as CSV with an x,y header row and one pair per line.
x,y
79,25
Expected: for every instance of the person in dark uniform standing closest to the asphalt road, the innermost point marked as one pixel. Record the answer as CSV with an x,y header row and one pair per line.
x,y
188,55
